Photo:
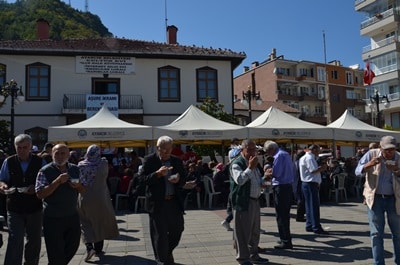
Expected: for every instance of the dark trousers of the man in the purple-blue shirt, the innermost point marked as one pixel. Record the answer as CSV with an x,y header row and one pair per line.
x,y
283,201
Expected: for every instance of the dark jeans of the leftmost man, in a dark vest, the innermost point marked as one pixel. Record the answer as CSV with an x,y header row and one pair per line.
x,y
19,225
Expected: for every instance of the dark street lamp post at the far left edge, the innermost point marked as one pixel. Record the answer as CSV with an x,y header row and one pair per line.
x,y
11,90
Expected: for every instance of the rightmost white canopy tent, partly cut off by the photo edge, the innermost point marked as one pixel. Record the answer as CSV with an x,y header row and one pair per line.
x,y
349,129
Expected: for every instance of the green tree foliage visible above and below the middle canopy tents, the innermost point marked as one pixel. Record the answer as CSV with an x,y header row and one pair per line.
x,y
216,110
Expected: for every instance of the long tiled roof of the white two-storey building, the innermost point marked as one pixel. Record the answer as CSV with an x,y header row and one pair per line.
x,y
118,46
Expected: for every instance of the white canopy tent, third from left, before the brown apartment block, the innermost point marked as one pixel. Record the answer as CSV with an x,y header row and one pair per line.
x,y
277,125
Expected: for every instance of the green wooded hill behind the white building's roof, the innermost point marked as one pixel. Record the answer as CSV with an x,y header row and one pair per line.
x,y
18,20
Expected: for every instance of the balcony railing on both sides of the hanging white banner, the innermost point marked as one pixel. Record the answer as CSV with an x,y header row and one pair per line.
x,y
78,101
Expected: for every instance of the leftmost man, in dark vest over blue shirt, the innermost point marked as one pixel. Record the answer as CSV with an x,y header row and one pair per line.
x,y
17,180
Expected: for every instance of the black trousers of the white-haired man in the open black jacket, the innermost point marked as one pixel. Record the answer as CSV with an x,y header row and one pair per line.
x,y
166,227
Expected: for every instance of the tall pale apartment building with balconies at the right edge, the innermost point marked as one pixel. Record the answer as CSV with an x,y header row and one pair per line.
x,y
382,27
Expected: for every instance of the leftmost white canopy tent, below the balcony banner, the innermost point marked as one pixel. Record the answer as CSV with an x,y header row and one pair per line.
x,y
103,129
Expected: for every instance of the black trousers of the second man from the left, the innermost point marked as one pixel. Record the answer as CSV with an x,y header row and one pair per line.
x,y
62,238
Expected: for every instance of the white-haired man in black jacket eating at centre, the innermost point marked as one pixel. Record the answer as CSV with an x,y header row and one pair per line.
x,y
164,176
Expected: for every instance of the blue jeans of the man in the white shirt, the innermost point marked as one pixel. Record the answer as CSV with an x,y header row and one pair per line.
x,y
311,199
